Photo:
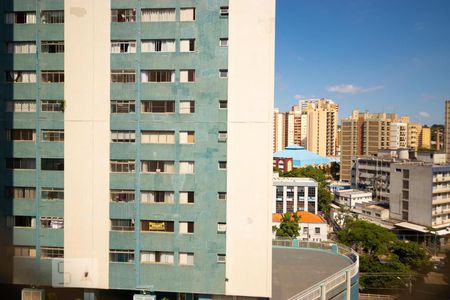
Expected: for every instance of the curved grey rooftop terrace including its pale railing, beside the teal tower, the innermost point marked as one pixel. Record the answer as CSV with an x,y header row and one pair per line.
x,y
335,270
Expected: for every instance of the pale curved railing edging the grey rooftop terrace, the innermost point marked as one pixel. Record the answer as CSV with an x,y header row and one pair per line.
x,y
333,281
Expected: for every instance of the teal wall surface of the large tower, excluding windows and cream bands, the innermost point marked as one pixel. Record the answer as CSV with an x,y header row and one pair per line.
x,y
206,275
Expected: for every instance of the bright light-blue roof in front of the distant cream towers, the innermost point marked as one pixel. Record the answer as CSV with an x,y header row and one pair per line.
x,y
301,157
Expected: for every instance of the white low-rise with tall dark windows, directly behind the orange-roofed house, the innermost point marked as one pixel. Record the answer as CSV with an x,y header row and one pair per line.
x,y
294,194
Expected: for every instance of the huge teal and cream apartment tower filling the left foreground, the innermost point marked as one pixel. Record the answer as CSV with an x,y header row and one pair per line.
x,y
129,125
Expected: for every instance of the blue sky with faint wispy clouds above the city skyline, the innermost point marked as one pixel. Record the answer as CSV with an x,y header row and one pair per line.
x,y
376,55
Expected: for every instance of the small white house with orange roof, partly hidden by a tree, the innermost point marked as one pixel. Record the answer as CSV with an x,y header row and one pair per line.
x,y
313,228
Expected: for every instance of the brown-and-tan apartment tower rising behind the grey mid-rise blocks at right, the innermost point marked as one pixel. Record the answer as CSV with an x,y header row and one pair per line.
x,y
363,133
